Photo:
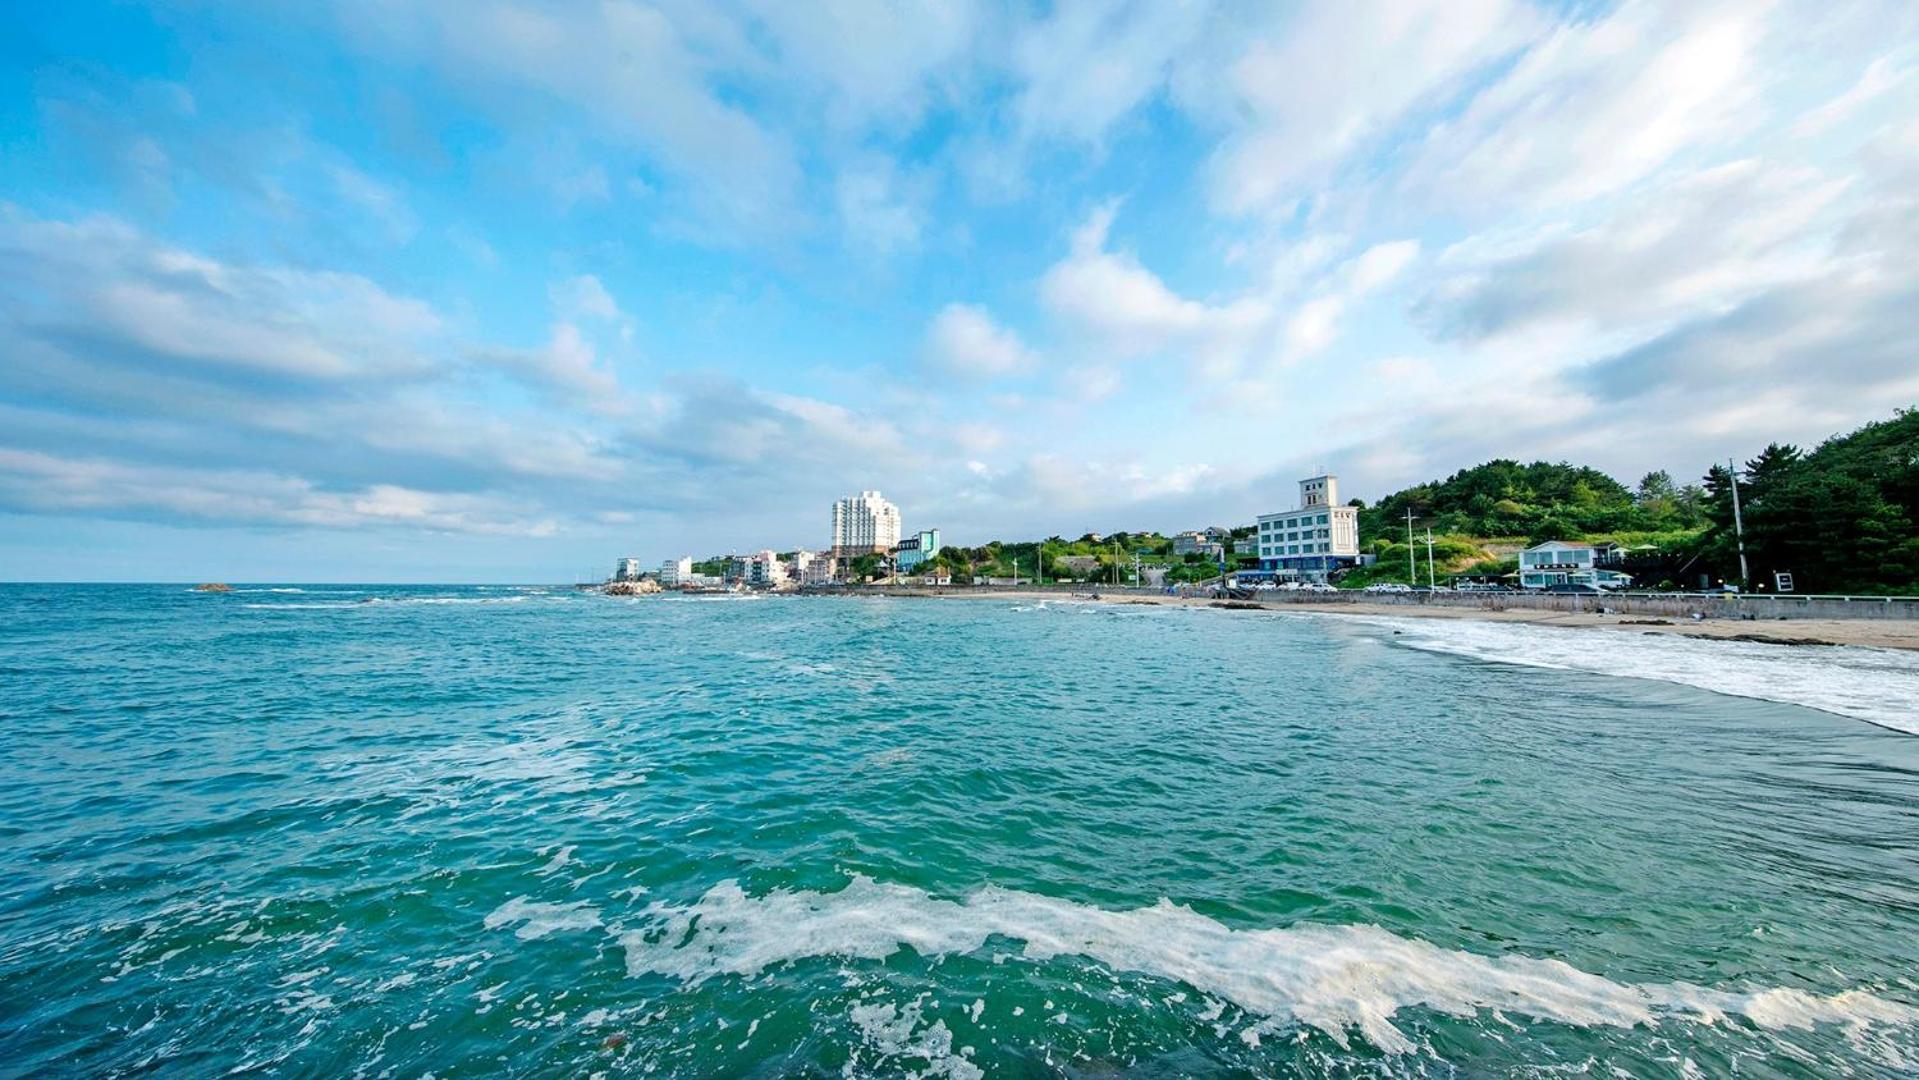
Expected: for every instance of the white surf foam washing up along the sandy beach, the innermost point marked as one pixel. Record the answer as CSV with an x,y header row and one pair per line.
x,y
1878,686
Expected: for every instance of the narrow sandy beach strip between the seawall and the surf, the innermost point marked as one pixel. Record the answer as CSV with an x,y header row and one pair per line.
x,y
1812,632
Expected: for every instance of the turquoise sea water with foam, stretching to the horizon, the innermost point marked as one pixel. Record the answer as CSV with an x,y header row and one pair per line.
x,y
527,832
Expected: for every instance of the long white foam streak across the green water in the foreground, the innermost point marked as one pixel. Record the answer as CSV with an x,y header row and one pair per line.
x,y
1335,979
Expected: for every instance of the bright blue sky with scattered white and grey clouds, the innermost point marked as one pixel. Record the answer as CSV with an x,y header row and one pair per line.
x,y
502,291
